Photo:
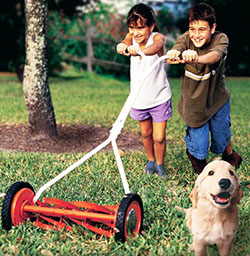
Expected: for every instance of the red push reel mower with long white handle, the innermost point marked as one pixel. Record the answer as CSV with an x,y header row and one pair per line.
x,y
123,220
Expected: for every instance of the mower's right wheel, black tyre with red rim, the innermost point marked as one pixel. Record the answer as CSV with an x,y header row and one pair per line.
x,y
129,218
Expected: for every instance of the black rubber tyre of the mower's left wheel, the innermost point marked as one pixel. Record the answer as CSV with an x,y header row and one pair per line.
x,y
7,202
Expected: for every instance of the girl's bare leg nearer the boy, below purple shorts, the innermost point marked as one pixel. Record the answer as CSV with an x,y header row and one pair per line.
x,y
159,139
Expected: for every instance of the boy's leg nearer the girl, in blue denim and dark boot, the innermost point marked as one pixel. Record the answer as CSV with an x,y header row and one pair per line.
x,y
197,141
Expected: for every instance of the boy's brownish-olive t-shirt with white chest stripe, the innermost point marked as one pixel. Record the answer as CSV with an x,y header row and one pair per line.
x,y
203,85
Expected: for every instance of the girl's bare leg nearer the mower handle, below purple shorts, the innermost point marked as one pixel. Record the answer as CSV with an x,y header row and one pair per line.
x,y
147,138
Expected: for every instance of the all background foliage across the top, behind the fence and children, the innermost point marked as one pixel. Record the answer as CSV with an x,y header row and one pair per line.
x,y
231,19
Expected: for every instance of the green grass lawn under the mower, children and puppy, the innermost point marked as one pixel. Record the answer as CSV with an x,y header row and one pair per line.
x,y
90,99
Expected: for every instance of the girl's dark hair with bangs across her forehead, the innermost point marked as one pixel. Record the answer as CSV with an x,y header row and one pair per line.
x,y
144,13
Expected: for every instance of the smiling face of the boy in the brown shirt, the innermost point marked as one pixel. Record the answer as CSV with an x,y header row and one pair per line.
x,y
200,32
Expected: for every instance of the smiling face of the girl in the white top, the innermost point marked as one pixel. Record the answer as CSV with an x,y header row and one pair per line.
x,y
140,32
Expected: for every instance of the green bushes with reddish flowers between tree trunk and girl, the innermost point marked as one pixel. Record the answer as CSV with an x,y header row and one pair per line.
x,y
106,26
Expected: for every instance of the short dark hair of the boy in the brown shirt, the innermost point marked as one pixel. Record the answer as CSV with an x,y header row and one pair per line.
x,y
202,11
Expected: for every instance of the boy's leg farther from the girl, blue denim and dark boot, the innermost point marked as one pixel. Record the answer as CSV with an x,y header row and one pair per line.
x,y
221,136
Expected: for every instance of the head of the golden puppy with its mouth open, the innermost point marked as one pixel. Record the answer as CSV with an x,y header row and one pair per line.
x,y
219,184
